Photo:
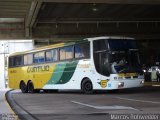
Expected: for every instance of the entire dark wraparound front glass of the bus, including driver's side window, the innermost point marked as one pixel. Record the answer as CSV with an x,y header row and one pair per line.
x,y
116,56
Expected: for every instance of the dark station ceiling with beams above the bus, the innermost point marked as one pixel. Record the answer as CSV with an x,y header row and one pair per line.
x,y
48,19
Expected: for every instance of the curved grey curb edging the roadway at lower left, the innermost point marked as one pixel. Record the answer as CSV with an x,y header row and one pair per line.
x,y
19,110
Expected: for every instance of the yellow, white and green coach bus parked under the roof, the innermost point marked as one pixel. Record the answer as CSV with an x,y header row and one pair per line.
x,y
99,63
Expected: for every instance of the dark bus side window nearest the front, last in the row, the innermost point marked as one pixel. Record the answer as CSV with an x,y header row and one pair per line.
x,y
82,51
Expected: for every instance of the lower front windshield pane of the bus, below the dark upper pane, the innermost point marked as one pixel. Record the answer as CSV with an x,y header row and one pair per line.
x,y
124,61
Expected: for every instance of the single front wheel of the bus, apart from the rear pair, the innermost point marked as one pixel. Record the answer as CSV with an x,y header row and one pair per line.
x,y
87,86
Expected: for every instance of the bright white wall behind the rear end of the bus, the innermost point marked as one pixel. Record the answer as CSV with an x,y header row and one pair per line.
x,y
6,48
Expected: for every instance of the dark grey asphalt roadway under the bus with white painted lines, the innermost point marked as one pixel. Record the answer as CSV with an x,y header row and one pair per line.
x,y
102,105
